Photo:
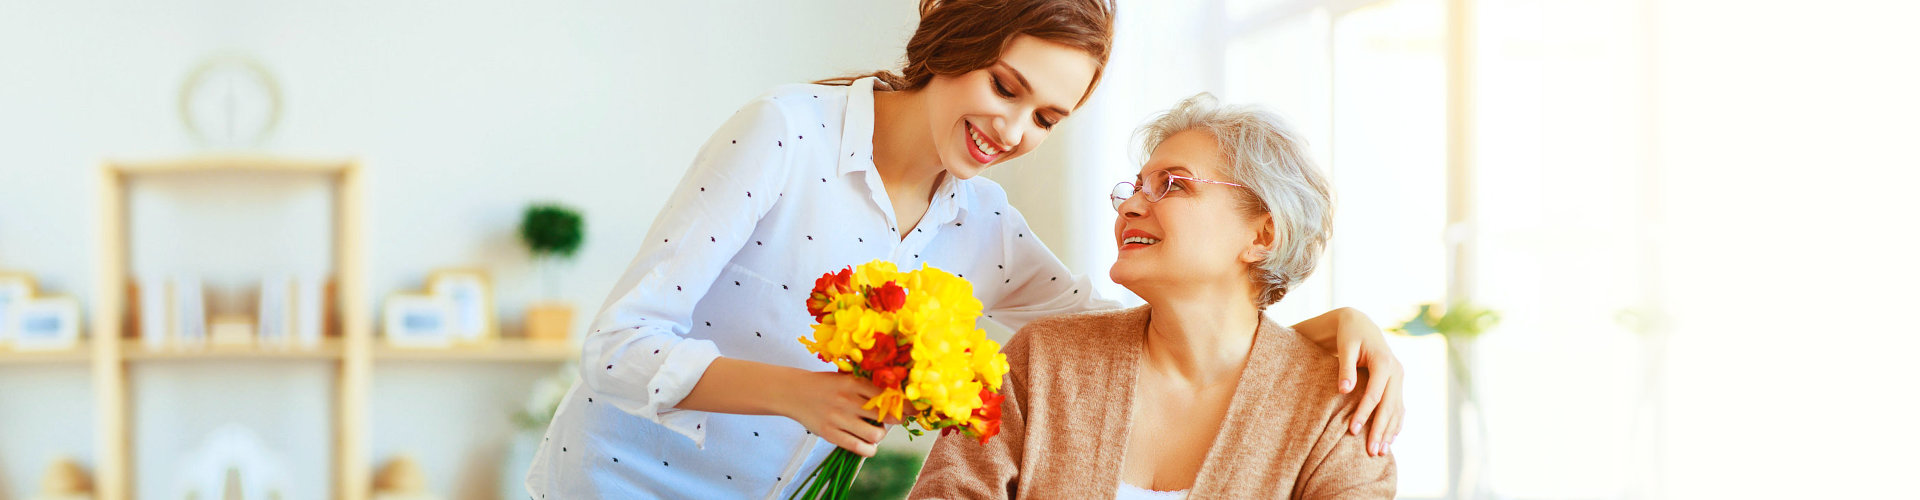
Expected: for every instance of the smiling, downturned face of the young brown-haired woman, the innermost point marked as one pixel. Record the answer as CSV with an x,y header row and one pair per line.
x,y
1005,111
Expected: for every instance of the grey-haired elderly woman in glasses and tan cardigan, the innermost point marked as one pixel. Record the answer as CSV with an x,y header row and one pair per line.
x,y
1195,393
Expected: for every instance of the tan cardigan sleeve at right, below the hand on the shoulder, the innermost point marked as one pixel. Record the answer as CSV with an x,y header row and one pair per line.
x,y
1339,464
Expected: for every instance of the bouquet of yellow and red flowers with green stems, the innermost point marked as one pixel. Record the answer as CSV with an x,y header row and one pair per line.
x,y
913,336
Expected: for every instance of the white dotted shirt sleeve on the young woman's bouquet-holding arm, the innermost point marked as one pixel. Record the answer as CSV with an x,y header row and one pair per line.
x,y
638,355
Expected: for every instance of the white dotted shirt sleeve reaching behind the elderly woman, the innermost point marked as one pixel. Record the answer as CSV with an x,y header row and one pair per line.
x,y
1042,284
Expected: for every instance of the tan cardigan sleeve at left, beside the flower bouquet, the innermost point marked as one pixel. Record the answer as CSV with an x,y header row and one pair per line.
x,y
965,468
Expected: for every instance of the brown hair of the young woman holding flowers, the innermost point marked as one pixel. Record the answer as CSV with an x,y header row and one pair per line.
x,y
963,36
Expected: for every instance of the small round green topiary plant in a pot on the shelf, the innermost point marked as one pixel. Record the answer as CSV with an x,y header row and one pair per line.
x,y
552,236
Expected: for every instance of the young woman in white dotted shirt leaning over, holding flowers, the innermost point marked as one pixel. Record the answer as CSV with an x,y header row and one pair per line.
x,y
692,380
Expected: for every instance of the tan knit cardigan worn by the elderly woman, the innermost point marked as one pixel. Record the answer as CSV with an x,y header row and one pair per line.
x,y
1070,409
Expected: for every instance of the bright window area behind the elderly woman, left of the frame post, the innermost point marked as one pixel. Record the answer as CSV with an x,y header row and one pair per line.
x,y
1368,89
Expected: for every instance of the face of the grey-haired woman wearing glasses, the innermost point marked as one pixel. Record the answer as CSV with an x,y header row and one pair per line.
x,y
1195,236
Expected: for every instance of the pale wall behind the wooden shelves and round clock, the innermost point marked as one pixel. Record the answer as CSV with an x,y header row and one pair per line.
x,y
464,112
